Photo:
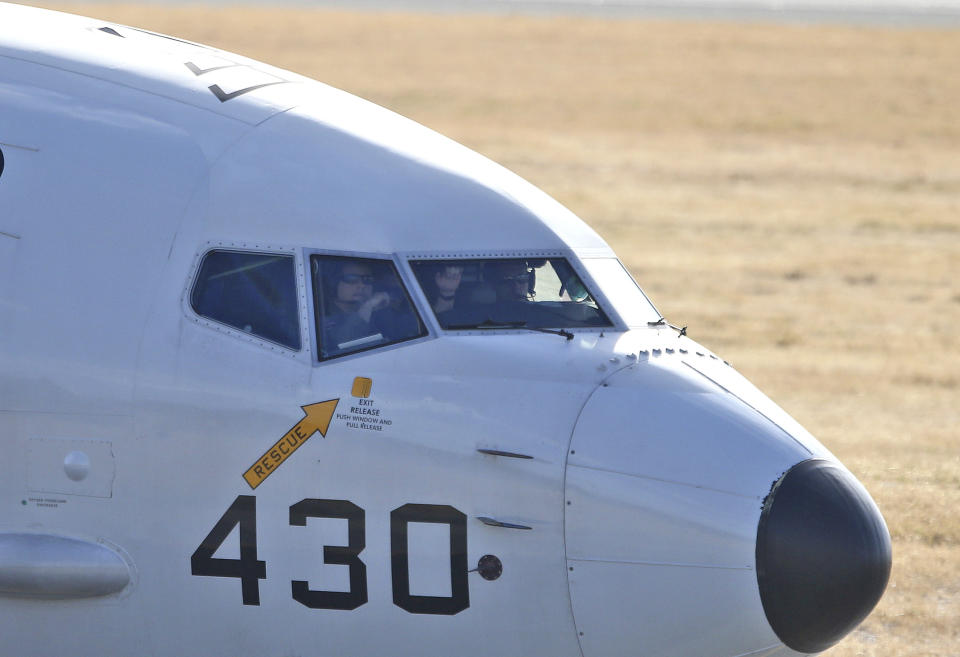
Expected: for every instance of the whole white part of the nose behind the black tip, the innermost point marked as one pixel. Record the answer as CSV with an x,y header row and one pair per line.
x,y
665,482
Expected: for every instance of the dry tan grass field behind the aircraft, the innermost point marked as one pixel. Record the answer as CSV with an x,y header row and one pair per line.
x,y
792,193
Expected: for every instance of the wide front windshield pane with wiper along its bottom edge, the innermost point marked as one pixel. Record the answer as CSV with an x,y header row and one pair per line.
x,y
508,293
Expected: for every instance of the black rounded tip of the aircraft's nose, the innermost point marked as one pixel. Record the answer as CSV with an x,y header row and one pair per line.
x,y
823,555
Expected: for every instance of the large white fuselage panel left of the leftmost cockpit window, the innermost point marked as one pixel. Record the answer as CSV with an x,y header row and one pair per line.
x,y
111,216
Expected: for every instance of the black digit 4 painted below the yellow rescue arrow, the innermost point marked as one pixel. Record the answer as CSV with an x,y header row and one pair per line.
x,y
247,568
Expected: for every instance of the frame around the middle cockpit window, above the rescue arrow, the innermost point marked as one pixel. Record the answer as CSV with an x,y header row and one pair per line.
x,y
410,285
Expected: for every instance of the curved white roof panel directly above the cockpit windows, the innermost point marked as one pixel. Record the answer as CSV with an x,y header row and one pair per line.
x,y
423,194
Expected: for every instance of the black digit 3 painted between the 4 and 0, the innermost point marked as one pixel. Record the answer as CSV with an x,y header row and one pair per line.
x,y
347,556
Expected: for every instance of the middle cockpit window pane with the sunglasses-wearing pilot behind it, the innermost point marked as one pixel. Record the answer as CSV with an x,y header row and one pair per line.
x,y
360,303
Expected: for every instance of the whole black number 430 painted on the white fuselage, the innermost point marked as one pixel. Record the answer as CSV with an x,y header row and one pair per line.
x,y
250,570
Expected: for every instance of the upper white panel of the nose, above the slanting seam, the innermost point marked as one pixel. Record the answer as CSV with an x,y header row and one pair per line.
x,y
681,429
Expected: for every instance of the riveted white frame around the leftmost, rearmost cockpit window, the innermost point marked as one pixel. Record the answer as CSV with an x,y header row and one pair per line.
x,y
251,338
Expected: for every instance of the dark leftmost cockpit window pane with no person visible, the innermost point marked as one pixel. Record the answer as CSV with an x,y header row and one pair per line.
x,y
253,292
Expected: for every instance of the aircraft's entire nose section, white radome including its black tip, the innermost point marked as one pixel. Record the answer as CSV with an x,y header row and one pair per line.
x,y
676,542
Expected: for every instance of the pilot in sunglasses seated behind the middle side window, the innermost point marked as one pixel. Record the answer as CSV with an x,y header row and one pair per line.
x,y
352,304
